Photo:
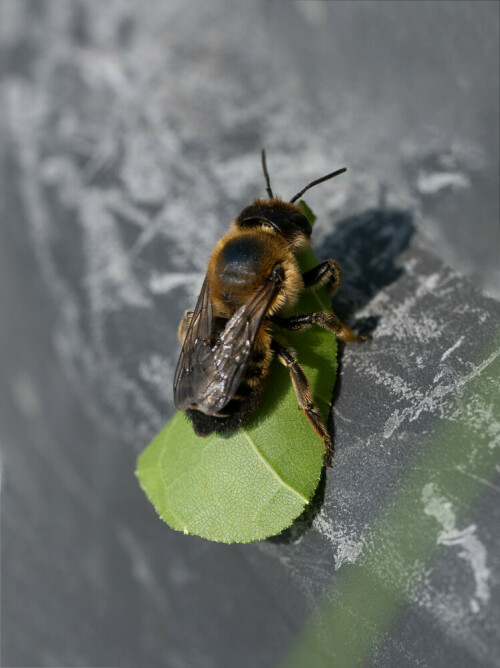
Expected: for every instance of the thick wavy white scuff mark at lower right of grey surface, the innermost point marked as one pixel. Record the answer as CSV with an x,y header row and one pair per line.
x,y
473,551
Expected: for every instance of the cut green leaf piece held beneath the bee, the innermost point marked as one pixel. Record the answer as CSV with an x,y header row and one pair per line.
x,y
252,483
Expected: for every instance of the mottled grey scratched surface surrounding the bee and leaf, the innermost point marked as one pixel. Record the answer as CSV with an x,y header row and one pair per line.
x,y
129,138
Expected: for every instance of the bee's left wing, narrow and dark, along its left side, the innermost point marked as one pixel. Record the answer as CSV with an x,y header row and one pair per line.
x,y
195,367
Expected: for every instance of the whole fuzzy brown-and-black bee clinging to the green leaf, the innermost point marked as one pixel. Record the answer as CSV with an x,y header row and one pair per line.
x,y
228,341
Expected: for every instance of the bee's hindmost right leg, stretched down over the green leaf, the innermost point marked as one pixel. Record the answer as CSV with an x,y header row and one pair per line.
x,y
304,397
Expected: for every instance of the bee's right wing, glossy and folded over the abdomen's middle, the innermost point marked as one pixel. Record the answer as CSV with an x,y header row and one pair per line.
x,y
231,353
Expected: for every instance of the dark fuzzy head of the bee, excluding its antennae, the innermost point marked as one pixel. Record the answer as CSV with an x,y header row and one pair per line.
x,y
281,217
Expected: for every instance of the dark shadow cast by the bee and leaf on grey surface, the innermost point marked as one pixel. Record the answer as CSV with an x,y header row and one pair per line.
x,y
366,246
